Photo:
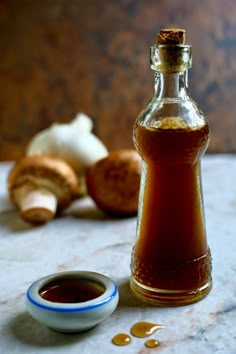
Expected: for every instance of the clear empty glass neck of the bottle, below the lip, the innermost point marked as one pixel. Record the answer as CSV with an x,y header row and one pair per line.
x,y
171,85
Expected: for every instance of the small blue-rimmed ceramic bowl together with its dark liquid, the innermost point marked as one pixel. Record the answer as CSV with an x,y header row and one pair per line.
x,y
59,310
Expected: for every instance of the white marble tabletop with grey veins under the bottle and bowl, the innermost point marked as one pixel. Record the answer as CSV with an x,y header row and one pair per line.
x,y
84,238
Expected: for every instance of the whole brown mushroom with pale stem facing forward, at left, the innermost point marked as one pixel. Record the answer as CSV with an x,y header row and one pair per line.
x,y
40,186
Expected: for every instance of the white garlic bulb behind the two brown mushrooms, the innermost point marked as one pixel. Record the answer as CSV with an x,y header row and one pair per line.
x,y
73,142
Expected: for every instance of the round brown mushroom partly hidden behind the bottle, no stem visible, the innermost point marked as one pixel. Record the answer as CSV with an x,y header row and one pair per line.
x,y
113,182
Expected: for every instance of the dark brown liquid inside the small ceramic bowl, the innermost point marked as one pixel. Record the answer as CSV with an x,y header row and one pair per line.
x,y
71,290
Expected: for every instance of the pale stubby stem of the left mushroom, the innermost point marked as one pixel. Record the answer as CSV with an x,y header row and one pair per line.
x,y
37,204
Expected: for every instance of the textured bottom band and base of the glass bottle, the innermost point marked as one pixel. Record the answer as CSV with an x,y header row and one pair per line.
x,y
171,283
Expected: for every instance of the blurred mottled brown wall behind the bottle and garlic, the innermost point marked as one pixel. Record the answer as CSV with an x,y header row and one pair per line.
x,y
60,57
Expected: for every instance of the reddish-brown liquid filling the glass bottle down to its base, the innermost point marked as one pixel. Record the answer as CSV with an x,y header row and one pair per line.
x,y
171,262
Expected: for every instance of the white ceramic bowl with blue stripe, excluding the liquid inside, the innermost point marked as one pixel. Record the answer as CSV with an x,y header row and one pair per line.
x,y
72,317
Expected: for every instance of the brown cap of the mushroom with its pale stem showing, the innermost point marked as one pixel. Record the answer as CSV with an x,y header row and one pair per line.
x,y
51,173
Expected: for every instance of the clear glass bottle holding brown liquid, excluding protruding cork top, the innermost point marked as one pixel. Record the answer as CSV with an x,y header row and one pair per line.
x,y
171,261
